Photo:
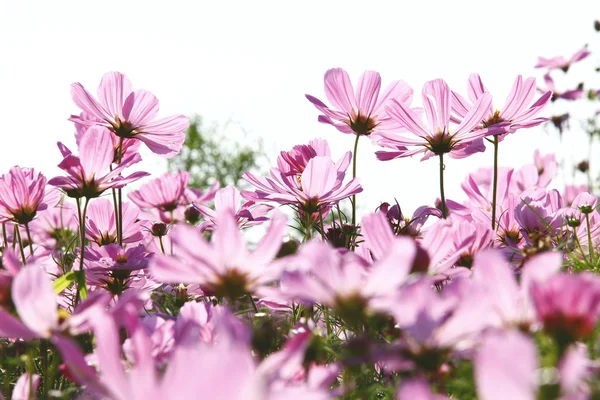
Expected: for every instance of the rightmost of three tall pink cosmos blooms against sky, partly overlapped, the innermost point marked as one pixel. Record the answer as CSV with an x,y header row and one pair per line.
x,y
517,112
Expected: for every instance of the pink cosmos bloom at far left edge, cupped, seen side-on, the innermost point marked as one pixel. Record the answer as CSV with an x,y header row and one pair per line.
x,y
22,195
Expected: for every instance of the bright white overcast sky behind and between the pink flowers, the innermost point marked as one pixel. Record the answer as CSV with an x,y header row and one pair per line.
x,y
252,62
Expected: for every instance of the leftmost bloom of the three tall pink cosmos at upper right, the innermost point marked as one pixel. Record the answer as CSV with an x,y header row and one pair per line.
x,y
363,112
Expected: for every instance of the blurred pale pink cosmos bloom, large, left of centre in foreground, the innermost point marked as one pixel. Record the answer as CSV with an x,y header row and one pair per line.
x,y
223,267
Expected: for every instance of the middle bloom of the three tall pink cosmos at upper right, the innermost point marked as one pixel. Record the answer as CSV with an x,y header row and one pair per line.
x,y
437,137
